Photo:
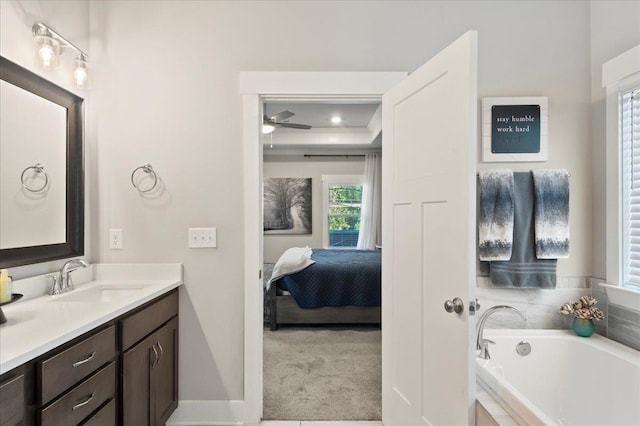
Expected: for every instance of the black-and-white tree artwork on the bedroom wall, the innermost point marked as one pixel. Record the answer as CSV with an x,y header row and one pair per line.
x,y
287,205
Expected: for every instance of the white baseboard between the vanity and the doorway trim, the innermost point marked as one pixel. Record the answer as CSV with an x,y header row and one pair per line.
x,y
201,413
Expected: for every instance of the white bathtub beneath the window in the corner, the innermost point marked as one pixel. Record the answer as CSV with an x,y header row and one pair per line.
x,y
566,380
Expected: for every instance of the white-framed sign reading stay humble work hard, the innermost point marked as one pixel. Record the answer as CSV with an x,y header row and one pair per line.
x,y
515,129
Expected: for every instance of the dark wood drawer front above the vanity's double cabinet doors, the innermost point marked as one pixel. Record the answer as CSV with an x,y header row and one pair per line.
x,y
140,324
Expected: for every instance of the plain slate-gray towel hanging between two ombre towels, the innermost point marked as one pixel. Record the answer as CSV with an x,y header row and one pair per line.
x,y
523,270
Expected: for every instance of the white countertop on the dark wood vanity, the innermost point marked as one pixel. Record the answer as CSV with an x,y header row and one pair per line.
x,y
39,323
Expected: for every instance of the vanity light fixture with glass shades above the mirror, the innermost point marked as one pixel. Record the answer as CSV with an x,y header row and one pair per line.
x,y
49,44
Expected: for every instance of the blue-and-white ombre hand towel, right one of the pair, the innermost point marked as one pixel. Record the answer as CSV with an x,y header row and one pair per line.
x,y
551,188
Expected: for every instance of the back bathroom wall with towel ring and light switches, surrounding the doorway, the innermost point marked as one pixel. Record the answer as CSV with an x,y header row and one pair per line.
x,y
165,92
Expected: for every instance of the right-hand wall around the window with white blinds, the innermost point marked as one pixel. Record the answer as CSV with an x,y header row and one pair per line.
x,y
615,28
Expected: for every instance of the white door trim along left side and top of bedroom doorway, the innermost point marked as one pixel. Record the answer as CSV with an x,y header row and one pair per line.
x,y
255,88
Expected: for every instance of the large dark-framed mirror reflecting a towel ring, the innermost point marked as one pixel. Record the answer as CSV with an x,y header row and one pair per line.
x,y
41,169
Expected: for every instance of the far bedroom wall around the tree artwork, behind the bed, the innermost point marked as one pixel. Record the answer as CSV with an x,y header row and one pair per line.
x,y
290,166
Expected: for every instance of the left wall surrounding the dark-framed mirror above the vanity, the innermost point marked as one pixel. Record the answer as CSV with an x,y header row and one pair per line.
x,y
70,19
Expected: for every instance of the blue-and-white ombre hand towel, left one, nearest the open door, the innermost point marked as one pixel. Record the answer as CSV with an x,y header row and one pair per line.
x,y
495,221
